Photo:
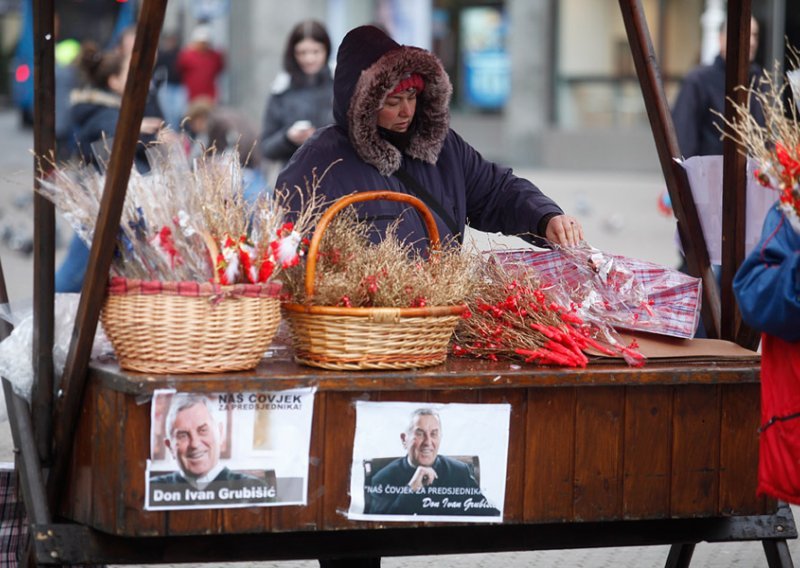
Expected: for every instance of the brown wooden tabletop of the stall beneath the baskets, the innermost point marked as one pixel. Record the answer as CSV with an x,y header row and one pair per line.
x,y
279,372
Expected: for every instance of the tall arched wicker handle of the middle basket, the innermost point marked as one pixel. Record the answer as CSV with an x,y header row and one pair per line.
x,y
341,203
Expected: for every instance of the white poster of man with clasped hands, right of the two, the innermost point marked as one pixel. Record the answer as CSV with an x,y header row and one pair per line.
x,y
429,462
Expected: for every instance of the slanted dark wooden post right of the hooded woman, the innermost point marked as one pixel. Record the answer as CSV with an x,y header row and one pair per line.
x,y
689,229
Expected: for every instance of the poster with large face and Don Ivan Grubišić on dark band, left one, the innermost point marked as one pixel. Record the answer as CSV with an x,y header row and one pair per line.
x,y
231,449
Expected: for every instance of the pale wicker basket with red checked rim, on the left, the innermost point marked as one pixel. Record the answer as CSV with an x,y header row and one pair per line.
x,y
190,327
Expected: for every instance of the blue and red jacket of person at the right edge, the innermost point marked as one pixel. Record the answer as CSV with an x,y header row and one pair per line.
x,y
767,287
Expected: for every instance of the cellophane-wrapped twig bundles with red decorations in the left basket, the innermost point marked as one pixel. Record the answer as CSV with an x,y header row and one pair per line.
x,y
184,220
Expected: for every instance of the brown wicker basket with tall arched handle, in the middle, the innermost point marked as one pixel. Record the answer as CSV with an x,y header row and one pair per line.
x,y
369,338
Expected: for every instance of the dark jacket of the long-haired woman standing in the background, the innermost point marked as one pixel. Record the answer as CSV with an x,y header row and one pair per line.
x,y
290,101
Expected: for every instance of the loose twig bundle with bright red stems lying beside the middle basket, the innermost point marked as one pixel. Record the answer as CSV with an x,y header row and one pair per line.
x,y
513,316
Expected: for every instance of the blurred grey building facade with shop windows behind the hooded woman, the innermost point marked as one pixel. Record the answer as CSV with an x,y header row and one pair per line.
x,y
547,83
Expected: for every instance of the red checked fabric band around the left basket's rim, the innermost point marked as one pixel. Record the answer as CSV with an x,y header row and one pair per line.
x,y
121,286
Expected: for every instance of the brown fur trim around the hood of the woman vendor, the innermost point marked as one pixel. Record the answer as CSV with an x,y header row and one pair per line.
x,y
432,116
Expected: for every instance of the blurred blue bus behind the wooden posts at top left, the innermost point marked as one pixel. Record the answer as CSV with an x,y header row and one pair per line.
x,y
101,21
